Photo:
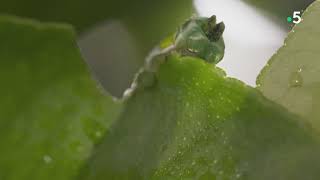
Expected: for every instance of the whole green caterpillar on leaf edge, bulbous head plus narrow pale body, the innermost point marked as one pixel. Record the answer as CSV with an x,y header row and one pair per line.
x,y
199,37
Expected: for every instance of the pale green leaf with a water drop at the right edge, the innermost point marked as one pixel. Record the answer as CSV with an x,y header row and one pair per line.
x,y
291,77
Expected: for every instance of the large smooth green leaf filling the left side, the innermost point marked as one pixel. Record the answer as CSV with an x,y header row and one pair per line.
x,y
51,110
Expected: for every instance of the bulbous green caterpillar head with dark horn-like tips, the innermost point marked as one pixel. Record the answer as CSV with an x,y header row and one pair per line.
x,y
201,37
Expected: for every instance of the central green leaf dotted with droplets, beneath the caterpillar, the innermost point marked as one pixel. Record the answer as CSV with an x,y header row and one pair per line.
x,y
189,121
